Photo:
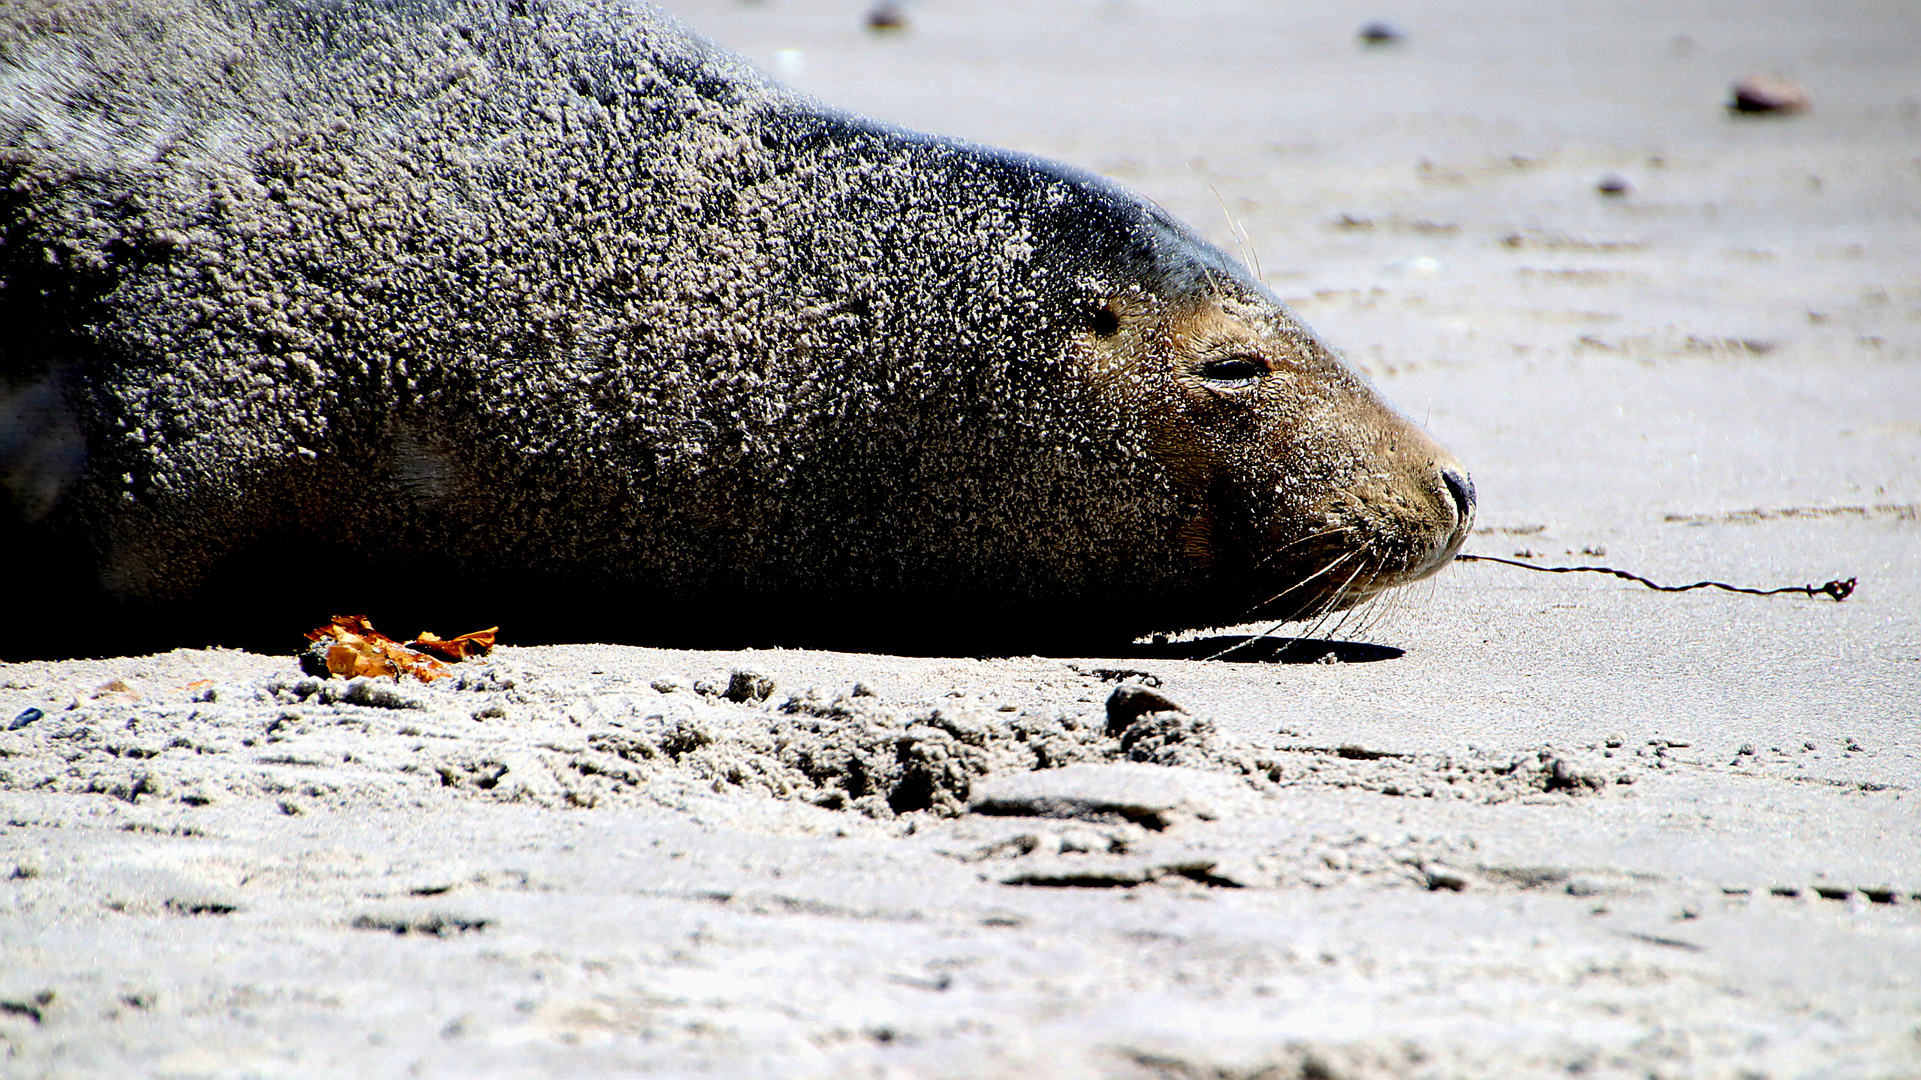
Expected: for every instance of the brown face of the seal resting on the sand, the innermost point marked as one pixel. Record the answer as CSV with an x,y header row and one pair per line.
x,y
1305,491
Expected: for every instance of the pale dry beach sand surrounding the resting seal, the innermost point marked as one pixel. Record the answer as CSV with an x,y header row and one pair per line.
x,y
1576,829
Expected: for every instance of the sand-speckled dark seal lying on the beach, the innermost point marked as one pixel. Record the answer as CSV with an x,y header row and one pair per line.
x,y
550,314
